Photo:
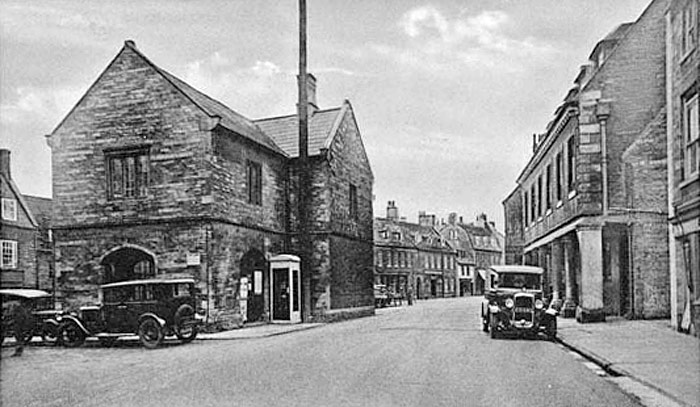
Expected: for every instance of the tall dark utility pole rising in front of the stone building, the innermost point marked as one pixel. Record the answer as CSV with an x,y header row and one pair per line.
x,y
303,192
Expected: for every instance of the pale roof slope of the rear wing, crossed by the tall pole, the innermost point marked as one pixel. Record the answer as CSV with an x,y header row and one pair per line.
x,y
284,130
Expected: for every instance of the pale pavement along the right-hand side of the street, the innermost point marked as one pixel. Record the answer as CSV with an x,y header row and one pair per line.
x,y
648,351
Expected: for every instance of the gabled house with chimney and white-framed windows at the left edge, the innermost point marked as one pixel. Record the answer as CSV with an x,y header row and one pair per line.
x,y
25,241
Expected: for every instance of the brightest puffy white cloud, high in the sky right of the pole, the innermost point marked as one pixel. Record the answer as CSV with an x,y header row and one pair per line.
x,y
435,42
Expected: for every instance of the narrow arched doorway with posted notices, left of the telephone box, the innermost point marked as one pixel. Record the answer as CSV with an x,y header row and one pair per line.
x,y
253,267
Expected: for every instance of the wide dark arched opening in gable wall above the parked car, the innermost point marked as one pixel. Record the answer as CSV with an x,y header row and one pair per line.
x,y
127,263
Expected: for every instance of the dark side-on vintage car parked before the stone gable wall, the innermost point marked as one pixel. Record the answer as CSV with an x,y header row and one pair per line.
x,y
151,309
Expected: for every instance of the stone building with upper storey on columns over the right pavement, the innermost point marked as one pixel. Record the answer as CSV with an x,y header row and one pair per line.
x,y
594,192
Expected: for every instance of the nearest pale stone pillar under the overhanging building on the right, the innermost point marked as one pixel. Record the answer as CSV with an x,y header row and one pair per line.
x,y
590,240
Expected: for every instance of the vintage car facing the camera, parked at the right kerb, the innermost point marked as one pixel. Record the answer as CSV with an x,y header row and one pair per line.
x,y
516,304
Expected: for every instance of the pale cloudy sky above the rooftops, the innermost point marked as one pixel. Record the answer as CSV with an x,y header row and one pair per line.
x,y
447,93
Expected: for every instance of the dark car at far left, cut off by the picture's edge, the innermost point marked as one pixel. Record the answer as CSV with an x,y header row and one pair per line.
x,y
36,306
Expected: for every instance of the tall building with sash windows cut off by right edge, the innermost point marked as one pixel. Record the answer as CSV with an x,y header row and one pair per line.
x,y
683,142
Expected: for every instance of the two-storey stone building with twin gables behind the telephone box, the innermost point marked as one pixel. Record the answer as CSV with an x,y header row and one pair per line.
x,y
152,178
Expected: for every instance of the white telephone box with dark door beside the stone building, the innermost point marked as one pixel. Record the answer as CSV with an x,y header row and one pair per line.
x,y
285,284
